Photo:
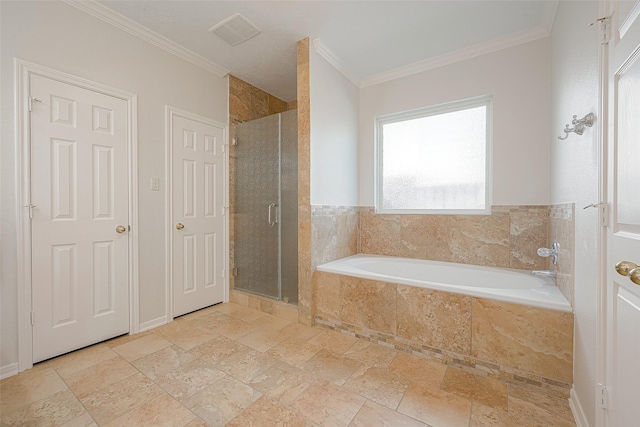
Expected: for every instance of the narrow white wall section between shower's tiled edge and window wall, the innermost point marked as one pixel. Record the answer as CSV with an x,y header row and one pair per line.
x,y
334,134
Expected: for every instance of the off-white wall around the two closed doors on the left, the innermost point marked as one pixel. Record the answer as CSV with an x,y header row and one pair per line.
x,y
59,36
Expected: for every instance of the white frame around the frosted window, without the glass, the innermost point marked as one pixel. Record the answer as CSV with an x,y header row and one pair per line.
x,y
434,110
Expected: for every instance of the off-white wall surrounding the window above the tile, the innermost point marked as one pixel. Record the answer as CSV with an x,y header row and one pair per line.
x,y
517,78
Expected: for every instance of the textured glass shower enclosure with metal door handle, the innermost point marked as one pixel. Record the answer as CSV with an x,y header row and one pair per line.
x,y
265,198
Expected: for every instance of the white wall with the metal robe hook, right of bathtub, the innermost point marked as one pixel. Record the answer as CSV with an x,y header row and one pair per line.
x,y
574,173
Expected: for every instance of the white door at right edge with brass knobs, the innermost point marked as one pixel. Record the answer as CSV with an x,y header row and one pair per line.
x,y
623,239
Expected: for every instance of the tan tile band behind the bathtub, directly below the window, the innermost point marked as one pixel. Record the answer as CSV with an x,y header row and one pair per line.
x,y
507,238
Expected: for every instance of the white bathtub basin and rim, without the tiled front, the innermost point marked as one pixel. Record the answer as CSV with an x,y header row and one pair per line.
x,y
516,286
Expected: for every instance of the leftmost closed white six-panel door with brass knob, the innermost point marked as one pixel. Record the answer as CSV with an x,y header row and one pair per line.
x,y
79,189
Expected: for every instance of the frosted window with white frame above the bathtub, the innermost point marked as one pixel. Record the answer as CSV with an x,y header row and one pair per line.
x,y
435,159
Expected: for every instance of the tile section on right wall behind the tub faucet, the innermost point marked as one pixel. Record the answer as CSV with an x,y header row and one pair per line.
x,y
562,226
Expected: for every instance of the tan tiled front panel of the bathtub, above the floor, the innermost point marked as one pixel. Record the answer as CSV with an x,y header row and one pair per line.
x,y
511,342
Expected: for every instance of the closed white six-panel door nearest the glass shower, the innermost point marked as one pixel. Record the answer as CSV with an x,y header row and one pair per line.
x,y
198,168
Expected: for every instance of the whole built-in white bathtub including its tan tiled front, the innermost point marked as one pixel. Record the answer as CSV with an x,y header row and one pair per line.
x,y
503,323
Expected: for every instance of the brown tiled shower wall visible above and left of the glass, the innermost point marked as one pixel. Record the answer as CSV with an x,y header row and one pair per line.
x,y
246,103
